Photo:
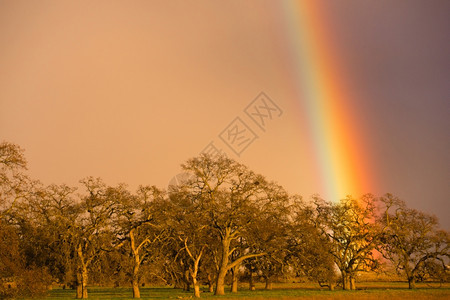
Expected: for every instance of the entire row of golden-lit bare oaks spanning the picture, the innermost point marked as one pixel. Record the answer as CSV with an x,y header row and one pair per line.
x,y
222,224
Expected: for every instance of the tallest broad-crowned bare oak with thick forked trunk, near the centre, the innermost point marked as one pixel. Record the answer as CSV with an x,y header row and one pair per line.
x,y
234,199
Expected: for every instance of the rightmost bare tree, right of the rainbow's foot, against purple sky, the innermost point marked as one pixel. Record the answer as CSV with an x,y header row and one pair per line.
x,y
412,240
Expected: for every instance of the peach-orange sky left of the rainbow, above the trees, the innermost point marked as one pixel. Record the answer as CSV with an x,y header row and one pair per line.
x,y
129,92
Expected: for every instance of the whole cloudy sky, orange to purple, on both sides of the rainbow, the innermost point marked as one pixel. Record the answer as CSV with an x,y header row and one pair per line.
x,y
127,91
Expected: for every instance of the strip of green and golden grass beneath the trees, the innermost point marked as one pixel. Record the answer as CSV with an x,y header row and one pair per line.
x,y
366,291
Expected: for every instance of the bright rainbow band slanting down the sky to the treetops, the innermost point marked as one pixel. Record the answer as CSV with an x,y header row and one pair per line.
x,y
318,80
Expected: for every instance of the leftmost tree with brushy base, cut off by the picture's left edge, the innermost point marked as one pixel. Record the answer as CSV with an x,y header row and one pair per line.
x,y
20,244
